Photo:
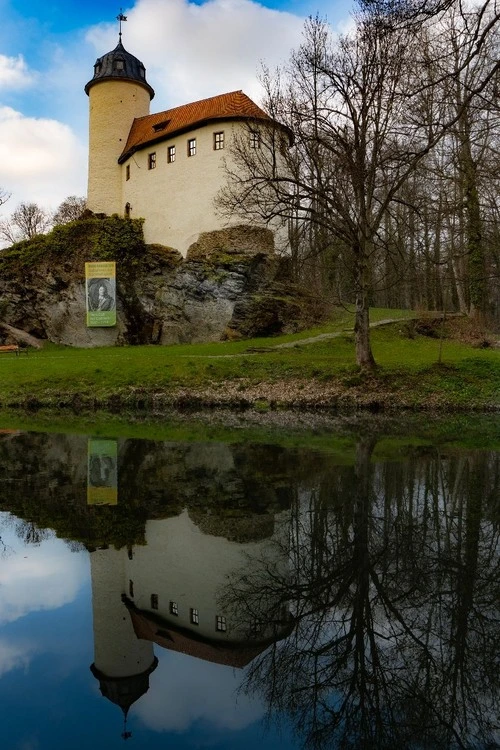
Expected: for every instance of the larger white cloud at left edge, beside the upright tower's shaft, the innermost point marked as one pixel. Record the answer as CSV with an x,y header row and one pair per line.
x,y
41,160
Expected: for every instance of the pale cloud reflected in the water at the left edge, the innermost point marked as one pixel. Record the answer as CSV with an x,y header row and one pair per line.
x,y
38,578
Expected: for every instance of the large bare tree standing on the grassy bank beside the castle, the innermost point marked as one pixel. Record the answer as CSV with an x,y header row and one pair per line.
x,y
366,111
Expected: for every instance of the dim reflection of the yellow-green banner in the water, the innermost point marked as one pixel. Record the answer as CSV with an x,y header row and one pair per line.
x,y
102,475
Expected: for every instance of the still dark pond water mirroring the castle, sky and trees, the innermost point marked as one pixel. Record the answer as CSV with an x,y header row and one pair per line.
x,y
234,595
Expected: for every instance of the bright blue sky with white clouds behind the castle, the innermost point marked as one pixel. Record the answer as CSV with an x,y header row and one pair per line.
x,y
191,50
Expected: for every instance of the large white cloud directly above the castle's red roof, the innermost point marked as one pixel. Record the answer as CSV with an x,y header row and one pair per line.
x,y
194,51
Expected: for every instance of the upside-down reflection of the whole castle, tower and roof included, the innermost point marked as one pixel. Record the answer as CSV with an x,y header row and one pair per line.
x,y
168,592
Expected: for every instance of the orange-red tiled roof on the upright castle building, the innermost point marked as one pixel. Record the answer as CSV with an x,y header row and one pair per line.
x,y
154,128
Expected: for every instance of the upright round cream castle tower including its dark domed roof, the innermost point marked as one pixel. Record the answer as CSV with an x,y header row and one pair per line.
x,y
117,93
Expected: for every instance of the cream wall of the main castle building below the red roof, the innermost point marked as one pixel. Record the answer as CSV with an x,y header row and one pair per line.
x,y
177,200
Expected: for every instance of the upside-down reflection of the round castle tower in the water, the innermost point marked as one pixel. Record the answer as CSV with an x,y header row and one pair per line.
x,y
122,662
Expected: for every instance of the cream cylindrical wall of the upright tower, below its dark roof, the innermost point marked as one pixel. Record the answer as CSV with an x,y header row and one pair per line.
x,y
113,105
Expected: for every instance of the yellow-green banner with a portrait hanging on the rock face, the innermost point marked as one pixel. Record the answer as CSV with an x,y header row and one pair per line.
x,y
100,285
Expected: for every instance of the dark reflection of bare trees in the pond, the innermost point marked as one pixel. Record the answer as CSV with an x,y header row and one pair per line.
x,y
390,574
